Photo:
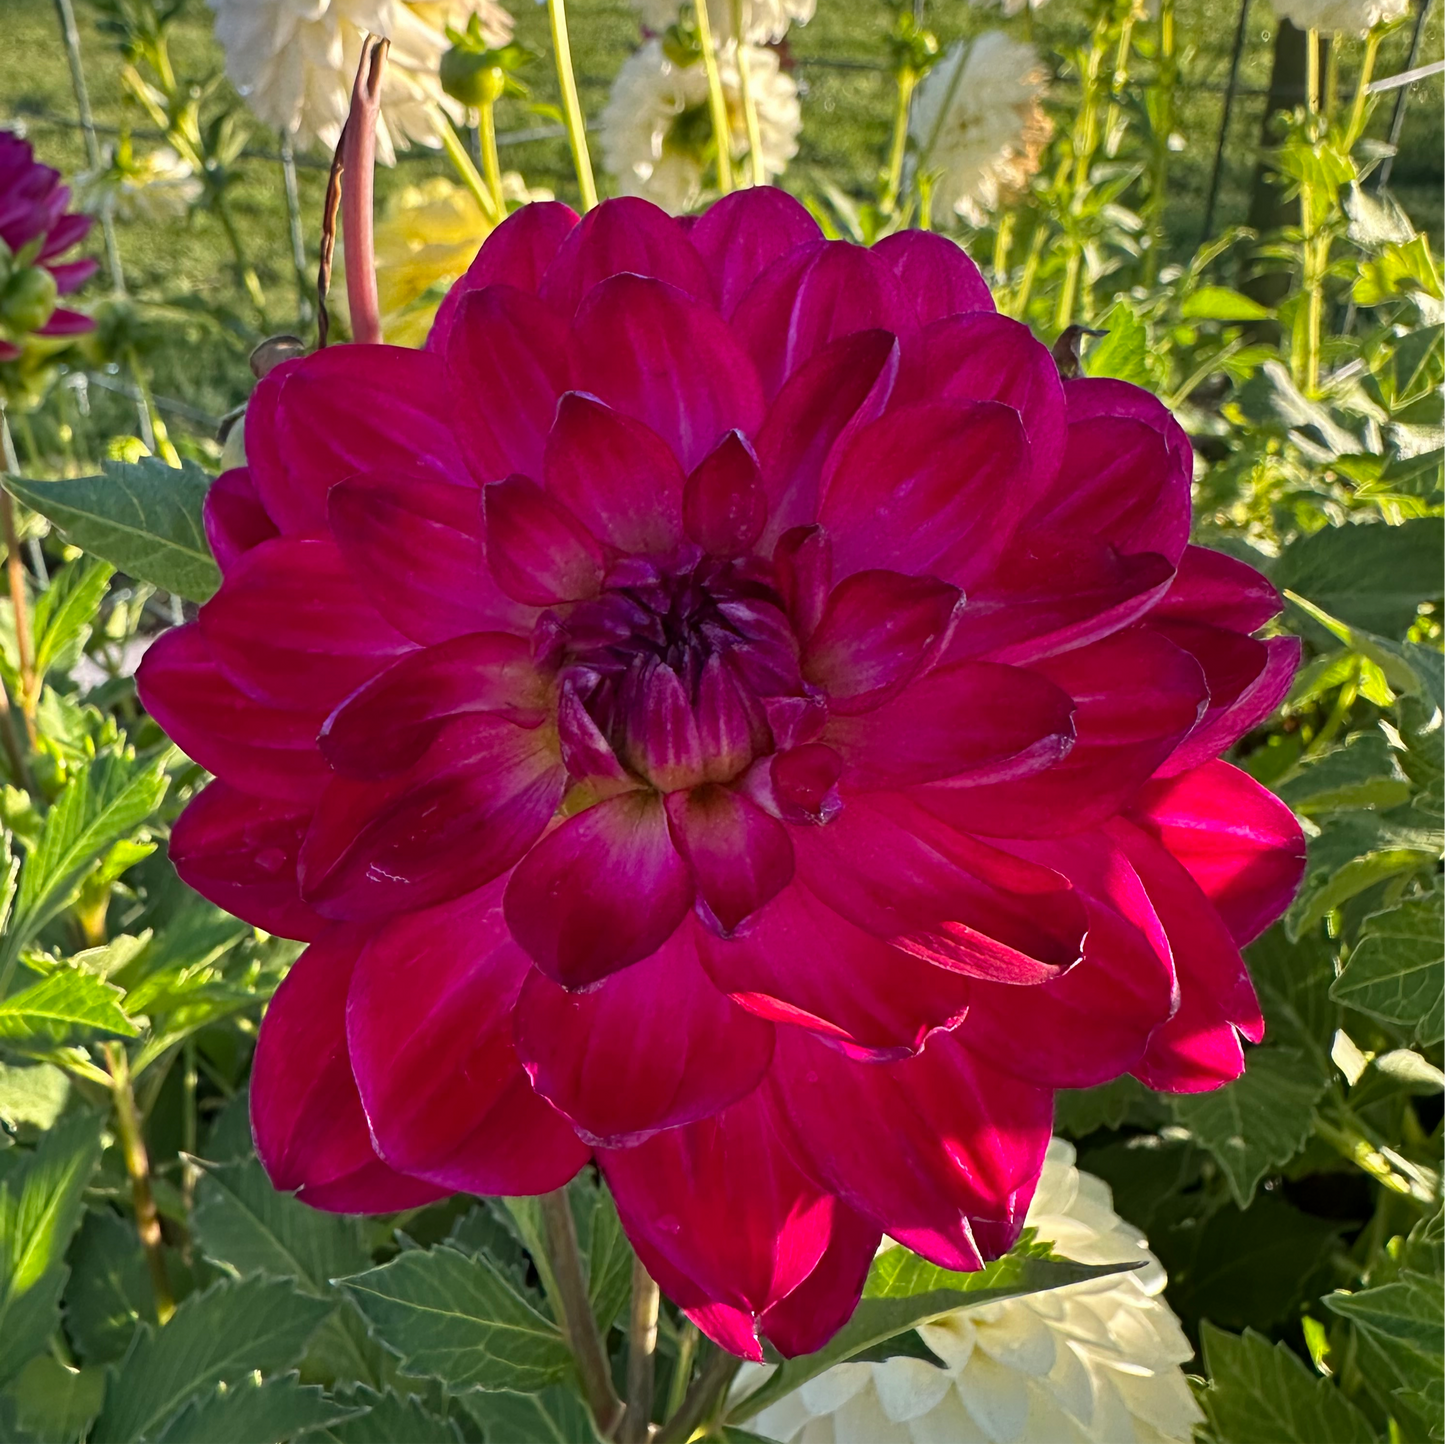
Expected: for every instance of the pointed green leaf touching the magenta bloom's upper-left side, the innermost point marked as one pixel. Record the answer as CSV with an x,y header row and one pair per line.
x,y
142,517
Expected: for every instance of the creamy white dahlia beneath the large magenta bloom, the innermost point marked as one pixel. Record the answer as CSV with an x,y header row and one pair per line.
x,y
1092,1364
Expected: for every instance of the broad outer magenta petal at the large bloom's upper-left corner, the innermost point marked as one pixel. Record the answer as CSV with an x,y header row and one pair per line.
x,y
326,417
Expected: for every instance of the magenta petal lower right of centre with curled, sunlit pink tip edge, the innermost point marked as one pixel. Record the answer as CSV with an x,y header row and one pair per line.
x,y
911,881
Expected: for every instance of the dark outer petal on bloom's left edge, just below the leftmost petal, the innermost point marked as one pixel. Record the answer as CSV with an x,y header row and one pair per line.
x,y
241,852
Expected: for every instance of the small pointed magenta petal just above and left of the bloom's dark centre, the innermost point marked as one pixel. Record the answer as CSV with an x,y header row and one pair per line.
x,y
619,479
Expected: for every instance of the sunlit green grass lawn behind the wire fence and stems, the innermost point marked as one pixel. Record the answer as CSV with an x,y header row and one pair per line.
x,y
186,267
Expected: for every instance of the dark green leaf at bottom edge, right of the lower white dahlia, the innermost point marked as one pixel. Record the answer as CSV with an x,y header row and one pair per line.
x,y
1264,1394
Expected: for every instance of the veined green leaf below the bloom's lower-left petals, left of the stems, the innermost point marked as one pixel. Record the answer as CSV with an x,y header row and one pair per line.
x,y
460,1320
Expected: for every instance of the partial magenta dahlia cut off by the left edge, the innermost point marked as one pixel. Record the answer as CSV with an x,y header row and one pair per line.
x,y
35,229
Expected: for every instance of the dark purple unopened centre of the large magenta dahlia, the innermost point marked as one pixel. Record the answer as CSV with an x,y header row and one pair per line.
x,y
671,674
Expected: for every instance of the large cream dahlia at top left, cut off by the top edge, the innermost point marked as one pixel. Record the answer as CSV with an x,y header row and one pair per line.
x,y
294,61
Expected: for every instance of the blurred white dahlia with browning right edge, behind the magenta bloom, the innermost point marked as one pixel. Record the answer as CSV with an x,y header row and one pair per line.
x,y
979,124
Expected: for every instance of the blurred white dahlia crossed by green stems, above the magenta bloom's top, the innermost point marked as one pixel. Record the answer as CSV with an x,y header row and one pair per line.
x,y
657,128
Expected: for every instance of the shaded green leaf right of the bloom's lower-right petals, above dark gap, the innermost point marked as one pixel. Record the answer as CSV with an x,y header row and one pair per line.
x,y
1259,1122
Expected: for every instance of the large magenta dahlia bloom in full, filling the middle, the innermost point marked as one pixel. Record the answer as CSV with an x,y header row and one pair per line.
x,y
729,710
